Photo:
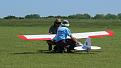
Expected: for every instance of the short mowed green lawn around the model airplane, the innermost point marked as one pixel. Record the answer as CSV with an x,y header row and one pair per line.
x,y
17,53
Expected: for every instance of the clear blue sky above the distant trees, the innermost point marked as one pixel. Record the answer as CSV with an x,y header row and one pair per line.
x,y
58,7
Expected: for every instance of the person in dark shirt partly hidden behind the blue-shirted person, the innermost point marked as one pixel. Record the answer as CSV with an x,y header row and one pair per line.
x,y
53,30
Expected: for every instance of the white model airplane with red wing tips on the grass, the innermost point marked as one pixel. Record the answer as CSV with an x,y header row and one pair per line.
x,y
87,46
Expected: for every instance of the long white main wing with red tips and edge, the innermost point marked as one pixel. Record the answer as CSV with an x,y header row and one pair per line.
x,y
76,35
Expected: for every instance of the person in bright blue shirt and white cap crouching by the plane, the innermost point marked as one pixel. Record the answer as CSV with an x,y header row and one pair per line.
x,y
61,39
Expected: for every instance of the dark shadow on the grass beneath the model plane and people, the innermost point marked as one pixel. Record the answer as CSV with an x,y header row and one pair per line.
x,y
51,52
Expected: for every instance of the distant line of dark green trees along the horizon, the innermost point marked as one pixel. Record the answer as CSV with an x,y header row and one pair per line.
x,y
77,16
